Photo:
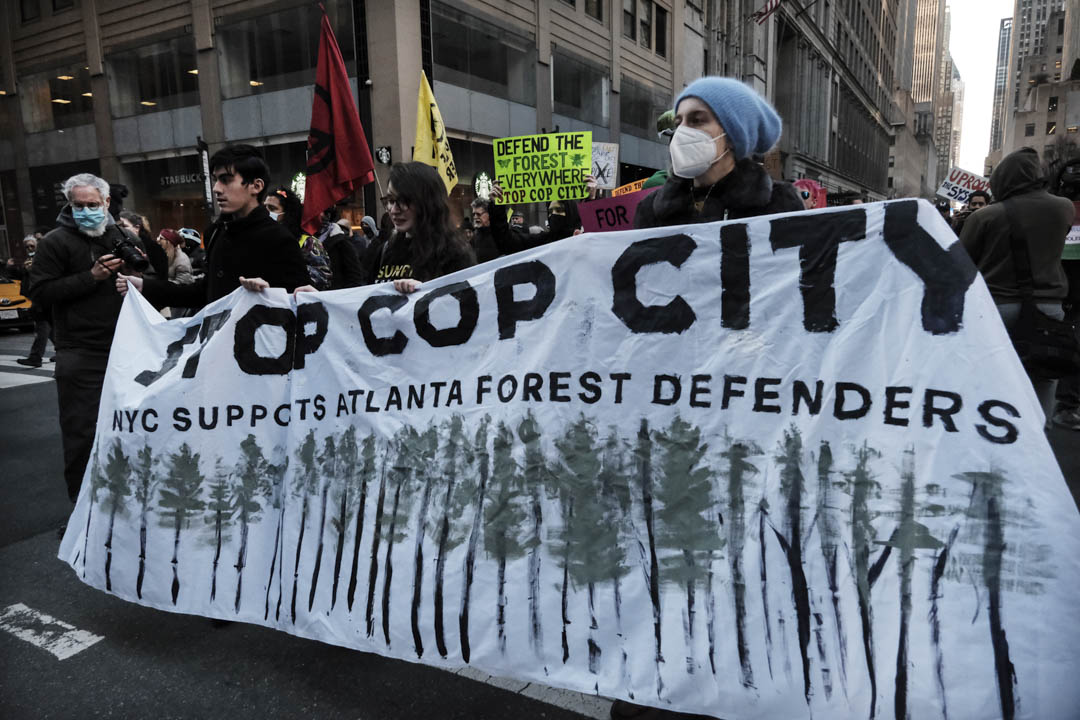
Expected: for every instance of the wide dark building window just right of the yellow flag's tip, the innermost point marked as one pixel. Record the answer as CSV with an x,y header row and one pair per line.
x,y
475,53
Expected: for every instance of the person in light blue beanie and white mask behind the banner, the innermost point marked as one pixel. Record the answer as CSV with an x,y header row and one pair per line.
x,y
721,123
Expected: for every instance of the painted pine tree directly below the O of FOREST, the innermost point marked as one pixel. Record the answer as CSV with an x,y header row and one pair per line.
x,y
504,519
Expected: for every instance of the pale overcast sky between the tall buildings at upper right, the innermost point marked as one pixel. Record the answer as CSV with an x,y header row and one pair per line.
x,y
975,47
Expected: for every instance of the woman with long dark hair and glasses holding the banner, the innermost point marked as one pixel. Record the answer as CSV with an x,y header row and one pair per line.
x,y
425,244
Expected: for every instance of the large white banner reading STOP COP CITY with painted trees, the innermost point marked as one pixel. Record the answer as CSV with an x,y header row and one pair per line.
x,y
779,468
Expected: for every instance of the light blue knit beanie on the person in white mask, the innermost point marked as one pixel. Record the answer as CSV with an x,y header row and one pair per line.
x,y
749,120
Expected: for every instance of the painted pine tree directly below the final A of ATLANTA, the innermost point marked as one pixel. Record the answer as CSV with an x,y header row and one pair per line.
x,y
451,459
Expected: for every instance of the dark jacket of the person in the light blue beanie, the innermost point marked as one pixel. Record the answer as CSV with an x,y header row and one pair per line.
x,y
747,192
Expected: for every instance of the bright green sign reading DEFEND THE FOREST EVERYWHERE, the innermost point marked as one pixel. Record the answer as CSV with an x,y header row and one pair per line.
x,y
542,169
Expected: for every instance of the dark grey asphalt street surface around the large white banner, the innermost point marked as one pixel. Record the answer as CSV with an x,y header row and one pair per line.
x,y
145,663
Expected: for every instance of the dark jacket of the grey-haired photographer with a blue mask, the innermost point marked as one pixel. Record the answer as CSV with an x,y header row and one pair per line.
x,y
85,310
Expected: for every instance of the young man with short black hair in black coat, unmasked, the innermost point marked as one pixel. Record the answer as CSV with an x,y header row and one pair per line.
x,y
244,248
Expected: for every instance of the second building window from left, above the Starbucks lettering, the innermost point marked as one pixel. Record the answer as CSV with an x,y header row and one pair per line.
x,y
153,78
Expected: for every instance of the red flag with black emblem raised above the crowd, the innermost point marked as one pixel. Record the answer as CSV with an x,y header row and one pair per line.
x,y
340,160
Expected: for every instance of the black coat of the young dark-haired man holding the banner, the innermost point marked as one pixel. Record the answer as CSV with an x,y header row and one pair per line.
x,y
252,247
